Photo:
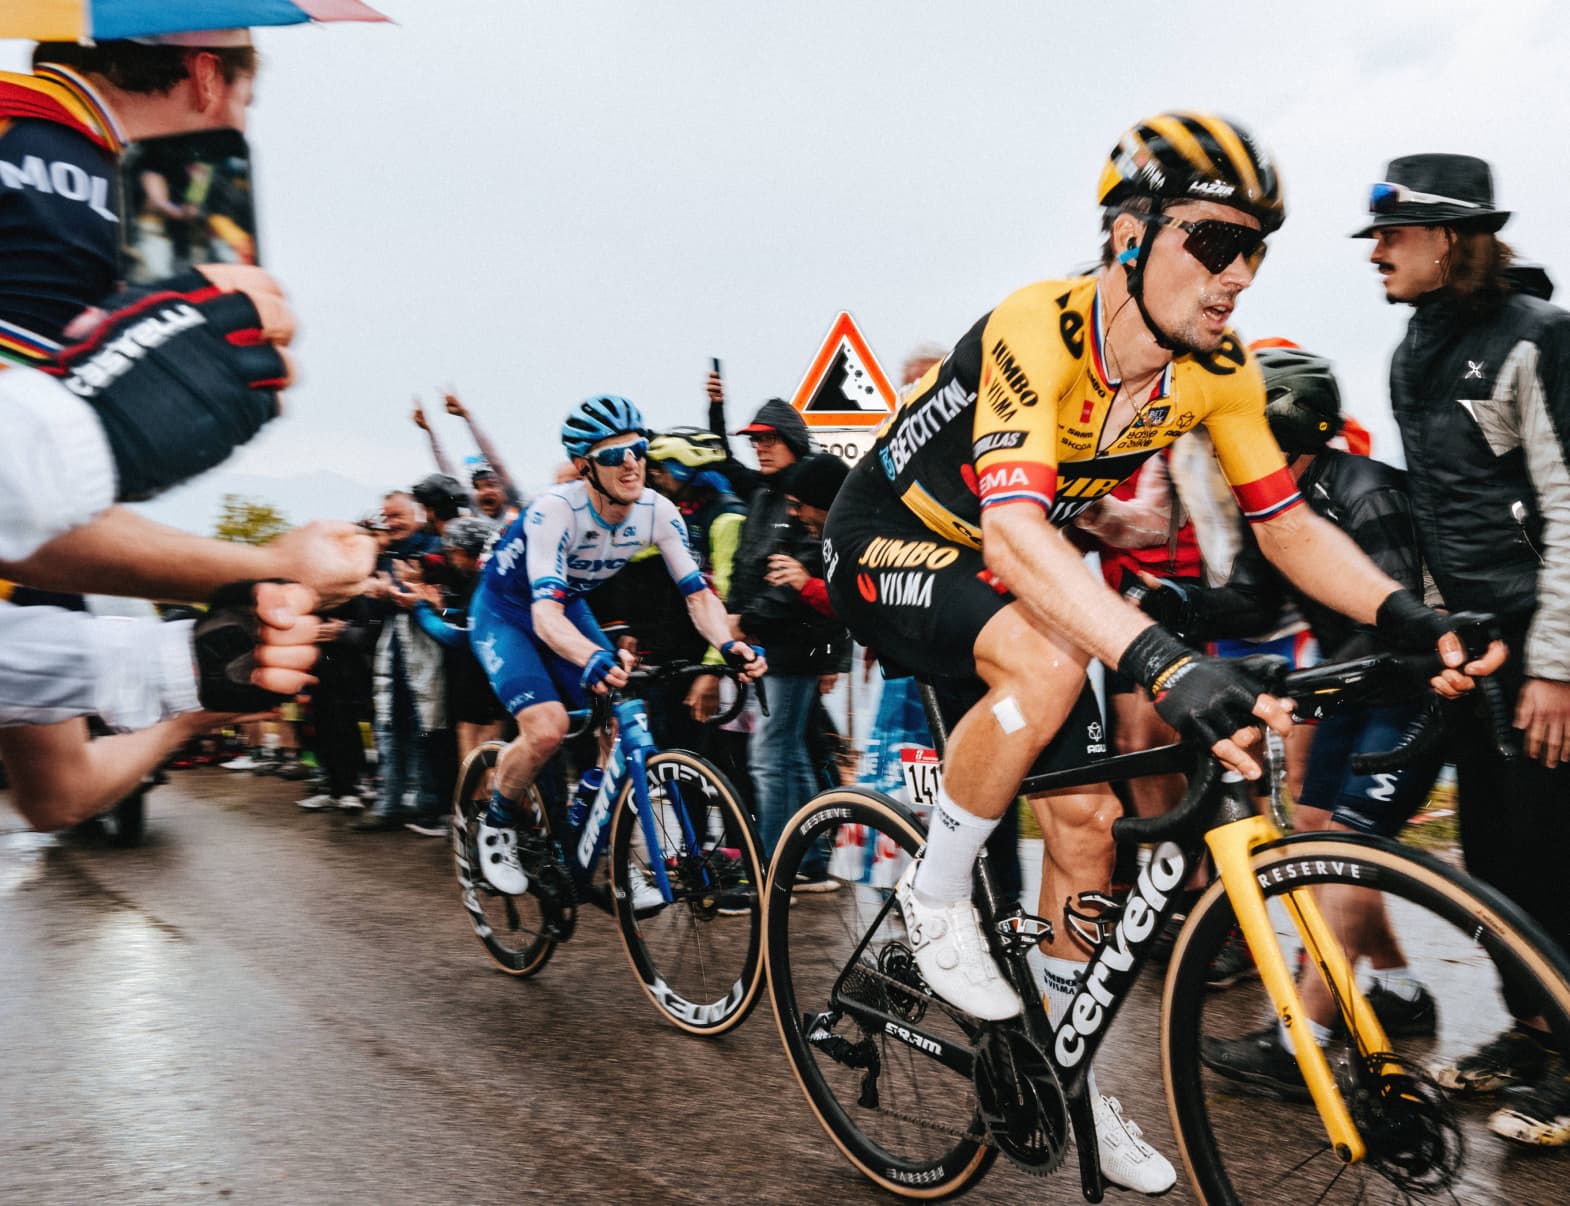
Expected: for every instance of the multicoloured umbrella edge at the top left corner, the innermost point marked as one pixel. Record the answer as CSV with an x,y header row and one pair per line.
x,y
82,21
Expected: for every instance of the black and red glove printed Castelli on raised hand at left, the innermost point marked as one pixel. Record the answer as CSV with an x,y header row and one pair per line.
x,y
180,376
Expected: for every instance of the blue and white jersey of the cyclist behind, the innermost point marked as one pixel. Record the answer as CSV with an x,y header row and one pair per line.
x,y
561,550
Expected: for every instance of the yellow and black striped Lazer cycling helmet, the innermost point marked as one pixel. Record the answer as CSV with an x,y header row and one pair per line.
x,y
1194,158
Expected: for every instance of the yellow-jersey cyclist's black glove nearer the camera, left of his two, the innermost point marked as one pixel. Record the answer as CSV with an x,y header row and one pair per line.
x,y
1207,700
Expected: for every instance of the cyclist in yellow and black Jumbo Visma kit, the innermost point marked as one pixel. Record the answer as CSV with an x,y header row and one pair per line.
x,y
946,552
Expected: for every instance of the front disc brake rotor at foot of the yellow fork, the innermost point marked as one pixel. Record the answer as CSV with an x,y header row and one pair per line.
x,y
1411,1127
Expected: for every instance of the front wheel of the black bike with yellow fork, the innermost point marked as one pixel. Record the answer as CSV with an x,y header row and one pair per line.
x,y
1244,1138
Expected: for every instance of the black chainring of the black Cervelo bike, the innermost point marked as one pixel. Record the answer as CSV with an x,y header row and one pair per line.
x,y
1021,1100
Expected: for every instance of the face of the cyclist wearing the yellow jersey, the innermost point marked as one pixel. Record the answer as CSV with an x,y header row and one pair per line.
x,y
1188,301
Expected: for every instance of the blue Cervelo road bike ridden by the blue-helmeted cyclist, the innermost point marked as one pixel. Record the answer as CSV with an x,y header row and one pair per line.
x,y
666,849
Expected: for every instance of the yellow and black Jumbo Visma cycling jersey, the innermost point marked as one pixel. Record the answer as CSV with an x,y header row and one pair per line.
x,y
1018,415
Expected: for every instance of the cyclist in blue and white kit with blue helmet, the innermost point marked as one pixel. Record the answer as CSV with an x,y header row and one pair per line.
x,y
531,629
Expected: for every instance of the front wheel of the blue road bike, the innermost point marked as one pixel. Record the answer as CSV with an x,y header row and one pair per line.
x,y
699,957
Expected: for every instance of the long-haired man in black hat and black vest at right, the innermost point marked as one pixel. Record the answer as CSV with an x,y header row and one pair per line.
x,y
1481,392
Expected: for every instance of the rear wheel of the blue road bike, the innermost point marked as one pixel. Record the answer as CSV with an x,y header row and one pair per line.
x,y
513,929
